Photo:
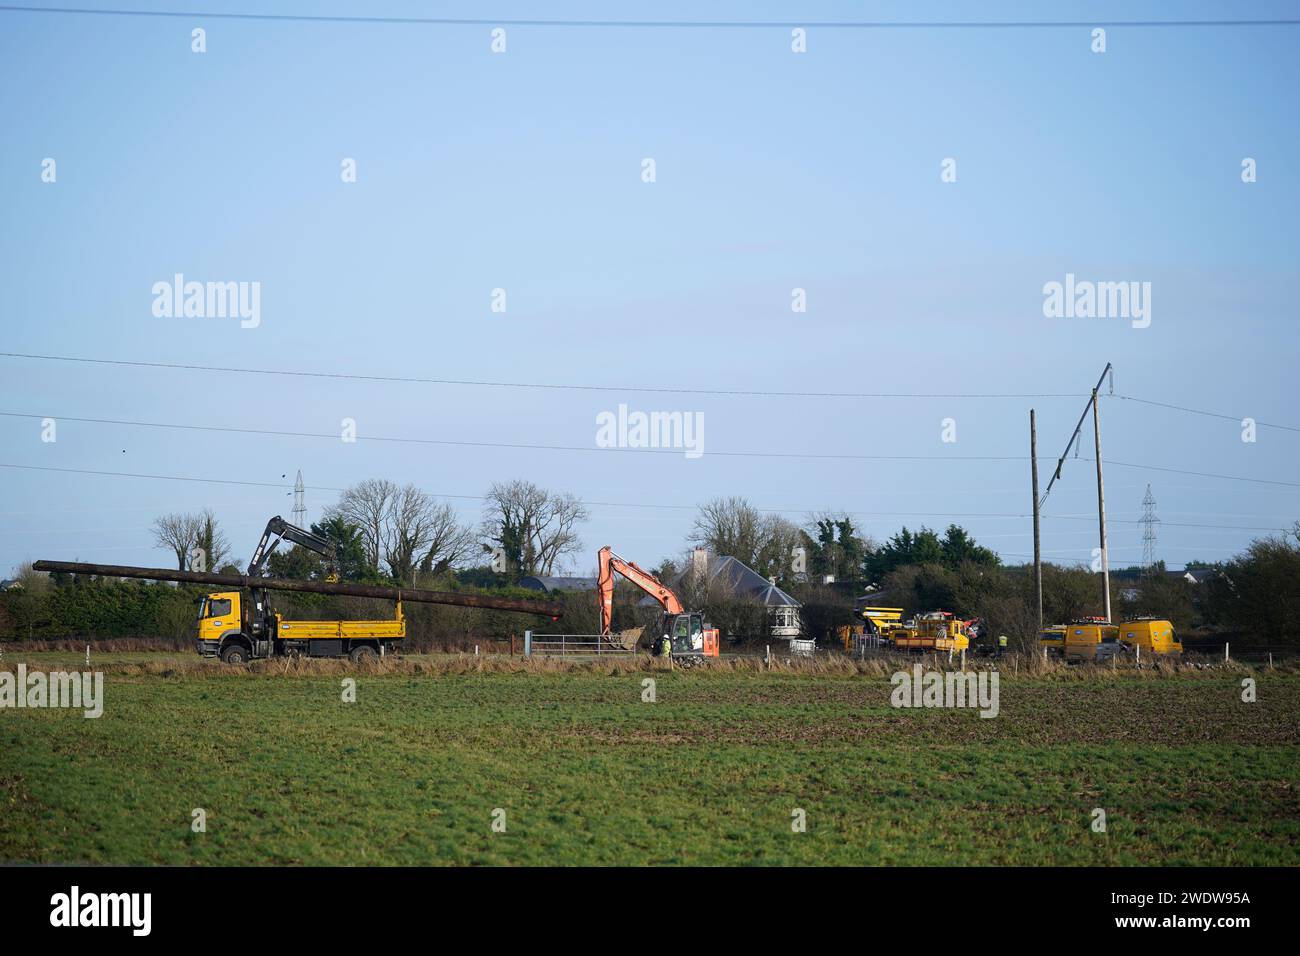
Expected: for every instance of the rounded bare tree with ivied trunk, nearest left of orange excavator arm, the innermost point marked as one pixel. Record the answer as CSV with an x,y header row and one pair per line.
x,y
536,529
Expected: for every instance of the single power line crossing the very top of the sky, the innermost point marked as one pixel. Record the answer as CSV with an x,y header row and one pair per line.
x,y
660,24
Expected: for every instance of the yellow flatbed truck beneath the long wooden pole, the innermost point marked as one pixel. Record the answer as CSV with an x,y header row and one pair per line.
x,y
239,626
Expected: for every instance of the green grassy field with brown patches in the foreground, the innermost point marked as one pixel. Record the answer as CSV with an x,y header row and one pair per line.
x,y
587,773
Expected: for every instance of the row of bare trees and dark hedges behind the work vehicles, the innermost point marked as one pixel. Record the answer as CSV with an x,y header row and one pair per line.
x,y
385,533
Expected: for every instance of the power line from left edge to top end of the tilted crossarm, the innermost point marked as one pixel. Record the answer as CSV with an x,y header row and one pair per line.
x,y
557,387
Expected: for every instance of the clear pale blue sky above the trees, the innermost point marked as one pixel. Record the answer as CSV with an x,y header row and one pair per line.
x,y
774,171
